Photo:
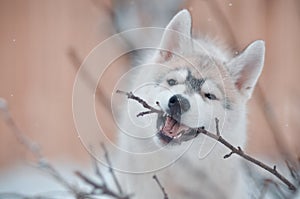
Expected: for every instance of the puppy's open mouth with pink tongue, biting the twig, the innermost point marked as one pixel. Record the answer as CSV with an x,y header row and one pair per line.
x,y
172,131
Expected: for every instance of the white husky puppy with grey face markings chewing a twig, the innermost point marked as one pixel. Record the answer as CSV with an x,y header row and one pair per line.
x,y
193,81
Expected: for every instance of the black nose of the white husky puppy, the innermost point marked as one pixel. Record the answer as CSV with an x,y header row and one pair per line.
x,y
177,103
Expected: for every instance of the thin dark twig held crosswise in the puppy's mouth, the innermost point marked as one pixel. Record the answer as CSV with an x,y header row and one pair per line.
x,y
220,139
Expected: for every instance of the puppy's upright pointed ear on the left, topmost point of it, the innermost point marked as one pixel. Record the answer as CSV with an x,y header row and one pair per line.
x,y
176,35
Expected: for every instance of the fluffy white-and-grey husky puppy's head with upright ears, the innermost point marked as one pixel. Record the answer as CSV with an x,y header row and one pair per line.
x,y
201,83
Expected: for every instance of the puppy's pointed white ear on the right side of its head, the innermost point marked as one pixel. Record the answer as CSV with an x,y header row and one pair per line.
x,y
246,67
